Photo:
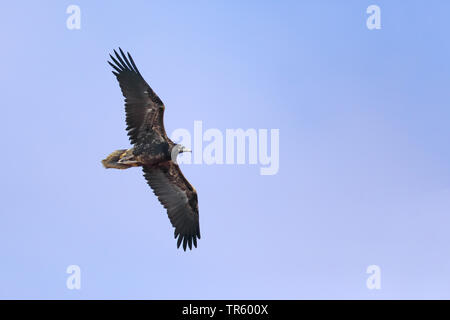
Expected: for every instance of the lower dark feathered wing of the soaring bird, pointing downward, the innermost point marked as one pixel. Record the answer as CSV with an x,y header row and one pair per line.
x,y
179,197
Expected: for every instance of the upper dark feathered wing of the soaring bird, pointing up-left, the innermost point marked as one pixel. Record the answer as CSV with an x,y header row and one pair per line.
x,y
144,109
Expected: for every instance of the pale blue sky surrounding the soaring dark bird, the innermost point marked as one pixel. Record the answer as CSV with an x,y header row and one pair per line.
x,y
364,174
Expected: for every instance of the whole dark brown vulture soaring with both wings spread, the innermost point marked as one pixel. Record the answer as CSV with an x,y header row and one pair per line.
x,y
154,151
